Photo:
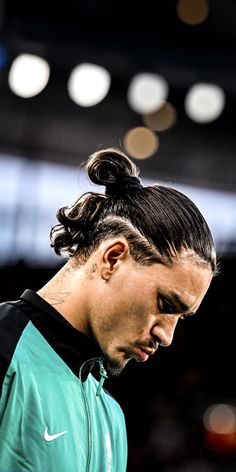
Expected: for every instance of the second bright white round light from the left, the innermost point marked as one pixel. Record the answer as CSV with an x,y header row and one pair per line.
x,y
88,84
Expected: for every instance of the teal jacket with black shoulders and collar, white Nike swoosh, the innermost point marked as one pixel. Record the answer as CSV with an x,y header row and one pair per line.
x,y
55,415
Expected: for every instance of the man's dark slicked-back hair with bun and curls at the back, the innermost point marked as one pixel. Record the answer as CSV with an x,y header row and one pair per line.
x,y
157,221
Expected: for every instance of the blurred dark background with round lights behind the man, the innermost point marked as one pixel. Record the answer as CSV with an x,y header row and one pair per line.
x,y
157,79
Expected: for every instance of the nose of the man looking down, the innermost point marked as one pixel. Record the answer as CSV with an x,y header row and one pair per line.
x,y
164,329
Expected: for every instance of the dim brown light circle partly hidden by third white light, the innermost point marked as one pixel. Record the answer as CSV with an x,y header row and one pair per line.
x,y
161,119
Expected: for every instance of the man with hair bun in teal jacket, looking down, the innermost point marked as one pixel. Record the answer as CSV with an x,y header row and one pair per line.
x,y
140,258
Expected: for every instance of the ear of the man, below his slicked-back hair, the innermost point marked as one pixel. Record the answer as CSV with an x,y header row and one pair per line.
x,y
113,254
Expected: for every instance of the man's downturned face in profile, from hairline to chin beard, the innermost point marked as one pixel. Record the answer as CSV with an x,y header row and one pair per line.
x,y
137,309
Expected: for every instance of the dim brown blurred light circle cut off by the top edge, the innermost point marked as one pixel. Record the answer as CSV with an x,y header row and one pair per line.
x,y
192,12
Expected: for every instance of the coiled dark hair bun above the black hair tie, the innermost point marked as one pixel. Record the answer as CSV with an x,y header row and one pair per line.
x,y
110,166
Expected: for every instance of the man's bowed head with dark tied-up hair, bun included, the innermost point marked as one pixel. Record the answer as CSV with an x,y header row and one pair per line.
x,y
148,254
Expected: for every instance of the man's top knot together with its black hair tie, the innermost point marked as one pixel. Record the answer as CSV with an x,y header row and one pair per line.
x,y
112,168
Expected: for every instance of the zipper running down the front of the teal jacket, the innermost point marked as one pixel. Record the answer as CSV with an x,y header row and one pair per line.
x,y
86,405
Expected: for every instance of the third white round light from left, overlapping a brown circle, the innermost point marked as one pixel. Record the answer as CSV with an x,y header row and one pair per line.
x,y
147,92
